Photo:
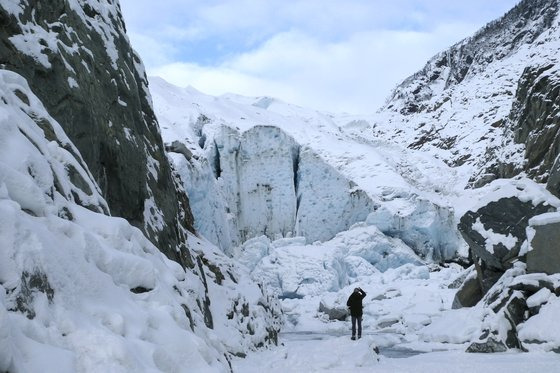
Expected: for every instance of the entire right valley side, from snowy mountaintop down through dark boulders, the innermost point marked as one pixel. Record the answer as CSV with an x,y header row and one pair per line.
x,y
489,107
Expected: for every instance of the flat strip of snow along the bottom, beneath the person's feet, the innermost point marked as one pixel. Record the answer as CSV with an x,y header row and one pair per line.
x,y
340,354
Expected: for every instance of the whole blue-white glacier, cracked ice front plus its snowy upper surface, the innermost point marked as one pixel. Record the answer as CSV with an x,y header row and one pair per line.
x,y
258,166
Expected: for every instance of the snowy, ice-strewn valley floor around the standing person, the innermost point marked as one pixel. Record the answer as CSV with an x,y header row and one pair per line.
x,y
407,318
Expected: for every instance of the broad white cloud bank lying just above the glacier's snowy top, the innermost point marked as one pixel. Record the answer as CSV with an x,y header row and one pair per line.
x,y
353,75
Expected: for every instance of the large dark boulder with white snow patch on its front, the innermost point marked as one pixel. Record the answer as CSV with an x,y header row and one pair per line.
x,y
506,218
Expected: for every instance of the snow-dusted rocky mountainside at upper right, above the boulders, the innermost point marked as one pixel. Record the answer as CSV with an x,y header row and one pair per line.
x,y
462,106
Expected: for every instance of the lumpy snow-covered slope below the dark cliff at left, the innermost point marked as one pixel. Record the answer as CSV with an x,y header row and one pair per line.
x,y
84,291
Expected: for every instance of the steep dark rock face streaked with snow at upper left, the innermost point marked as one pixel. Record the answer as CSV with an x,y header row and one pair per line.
x,y
78,61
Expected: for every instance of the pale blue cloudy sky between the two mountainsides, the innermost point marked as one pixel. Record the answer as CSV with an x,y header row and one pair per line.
x,y
335,55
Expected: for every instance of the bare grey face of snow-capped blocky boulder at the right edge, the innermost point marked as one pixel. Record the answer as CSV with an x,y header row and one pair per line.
x,y
545,253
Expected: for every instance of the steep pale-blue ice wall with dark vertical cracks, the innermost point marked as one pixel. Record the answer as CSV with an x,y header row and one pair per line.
x,y
262,182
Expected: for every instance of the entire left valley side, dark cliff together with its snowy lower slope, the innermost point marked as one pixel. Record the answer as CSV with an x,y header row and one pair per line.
x,y
81,290
